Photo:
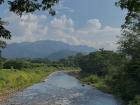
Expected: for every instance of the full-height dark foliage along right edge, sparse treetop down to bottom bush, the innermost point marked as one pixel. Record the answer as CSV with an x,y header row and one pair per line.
x,y
125,82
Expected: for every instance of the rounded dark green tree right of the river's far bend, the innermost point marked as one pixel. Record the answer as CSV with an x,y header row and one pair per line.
x,y
100,62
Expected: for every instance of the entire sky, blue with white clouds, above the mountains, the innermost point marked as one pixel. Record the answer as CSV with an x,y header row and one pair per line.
x,y
95,23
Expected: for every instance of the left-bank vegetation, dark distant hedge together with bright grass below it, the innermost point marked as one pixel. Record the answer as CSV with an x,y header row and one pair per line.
x,y
20,73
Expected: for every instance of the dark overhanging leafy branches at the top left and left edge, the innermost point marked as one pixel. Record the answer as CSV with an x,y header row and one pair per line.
x,y
21,7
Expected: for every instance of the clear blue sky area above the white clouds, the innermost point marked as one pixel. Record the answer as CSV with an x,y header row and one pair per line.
x,y
104,10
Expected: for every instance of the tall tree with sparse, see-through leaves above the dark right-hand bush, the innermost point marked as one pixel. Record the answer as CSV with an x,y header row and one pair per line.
x,y
130,40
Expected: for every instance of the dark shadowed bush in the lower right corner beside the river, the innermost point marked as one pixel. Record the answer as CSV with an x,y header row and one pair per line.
x,y
125,82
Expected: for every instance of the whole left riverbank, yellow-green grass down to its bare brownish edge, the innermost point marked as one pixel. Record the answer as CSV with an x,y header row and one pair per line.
x,y
15,80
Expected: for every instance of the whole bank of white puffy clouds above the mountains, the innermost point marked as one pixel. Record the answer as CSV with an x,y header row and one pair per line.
x,y
34,27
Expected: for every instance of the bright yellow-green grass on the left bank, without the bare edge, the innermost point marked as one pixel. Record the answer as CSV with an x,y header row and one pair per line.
x,y
17,79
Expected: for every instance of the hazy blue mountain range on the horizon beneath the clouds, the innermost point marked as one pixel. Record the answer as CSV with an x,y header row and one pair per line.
x,y
43,48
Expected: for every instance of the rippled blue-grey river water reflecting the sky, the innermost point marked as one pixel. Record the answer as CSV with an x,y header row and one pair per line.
x,y
61,89
